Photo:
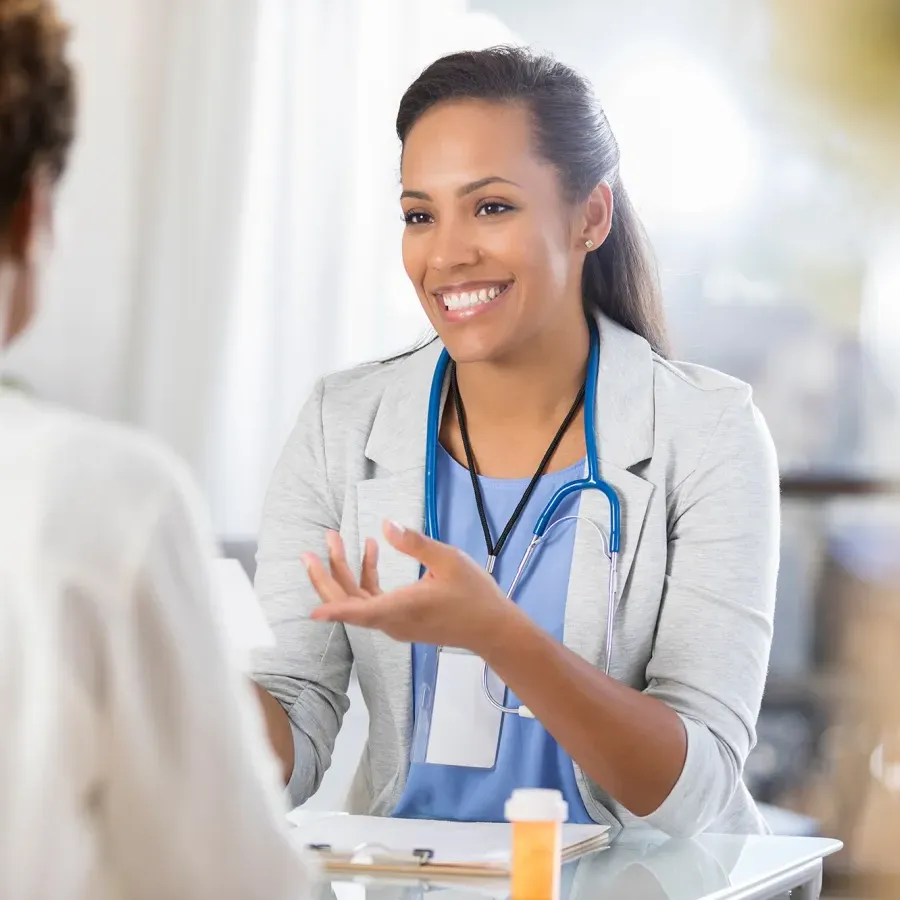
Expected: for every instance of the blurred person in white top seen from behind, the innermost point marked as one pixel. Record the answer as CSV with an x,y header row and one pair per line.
x,y
132,758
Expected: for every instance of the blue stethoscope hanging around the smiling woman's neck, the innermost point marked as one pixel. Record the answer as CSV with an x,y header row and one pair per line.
x,y
544,524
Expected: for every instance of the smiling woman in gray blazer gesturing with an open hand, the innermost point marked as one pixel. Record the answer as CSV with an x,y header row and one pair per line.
x,y
520,241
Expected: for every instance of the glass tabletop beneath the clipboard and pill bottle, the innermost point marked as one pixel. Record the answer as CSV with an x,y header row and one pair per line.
x,y
711,867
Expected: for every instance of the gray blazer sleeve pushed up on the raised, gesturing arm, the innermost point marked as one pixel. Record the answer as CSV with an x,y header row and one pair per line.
x,y
711,652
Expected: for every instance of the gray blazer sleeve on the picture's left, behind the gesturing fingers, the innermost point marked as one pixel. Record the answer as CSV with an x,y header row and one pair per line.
x,y
308,671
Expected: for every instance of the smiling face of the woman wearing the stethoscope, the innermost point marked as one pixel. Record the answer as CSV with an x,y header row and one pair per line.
x,y
491,247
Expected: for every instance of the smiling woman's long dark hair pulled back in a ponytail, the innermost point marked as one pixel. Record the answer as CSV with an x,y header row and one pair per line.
x,y
573,134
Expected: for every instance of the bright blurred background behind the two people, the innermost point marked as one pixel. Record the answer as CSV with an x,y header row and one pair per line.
x,y
229,231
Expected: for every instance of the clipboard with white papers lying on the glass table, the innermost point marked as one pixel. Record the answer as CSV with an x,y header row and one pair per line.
x,y
422,849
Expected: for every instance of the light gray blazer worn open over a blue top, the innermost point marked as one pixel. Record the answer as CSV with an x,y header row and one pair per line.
x,y
695,470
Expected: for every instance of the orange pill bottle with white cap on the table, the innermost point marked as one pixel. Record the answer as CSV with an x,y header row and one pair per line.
x,y
537,816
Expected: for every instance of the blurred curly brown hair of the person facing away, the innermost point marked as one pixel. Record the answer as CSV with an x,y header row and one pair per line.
x,y
37,97
